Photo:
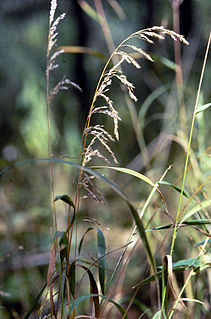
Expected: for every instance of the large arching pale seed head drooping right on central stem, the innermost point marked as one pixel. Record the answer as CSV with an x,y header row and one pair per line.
x,y
99,133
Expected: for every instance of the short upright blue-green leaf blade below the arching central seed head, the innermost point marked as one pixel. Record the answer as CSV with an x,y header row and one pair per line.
x,y
101,246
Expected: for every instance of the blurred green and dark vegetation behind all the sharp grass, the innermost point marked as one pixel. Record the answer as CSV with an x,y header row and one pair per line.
x,y
153,133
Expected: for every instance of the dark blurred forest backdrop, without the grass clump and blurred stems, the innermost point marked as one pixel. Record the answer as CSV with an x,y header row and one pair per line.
x,y
25,215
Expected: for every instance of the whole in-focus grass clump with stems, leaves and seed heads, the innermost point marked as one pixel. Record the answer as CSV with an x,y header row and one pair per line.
x,y
79,285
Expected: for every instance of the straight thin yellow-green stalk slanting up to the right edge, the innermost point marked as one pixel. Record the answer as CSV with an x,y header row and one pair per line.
x,y
189,147
